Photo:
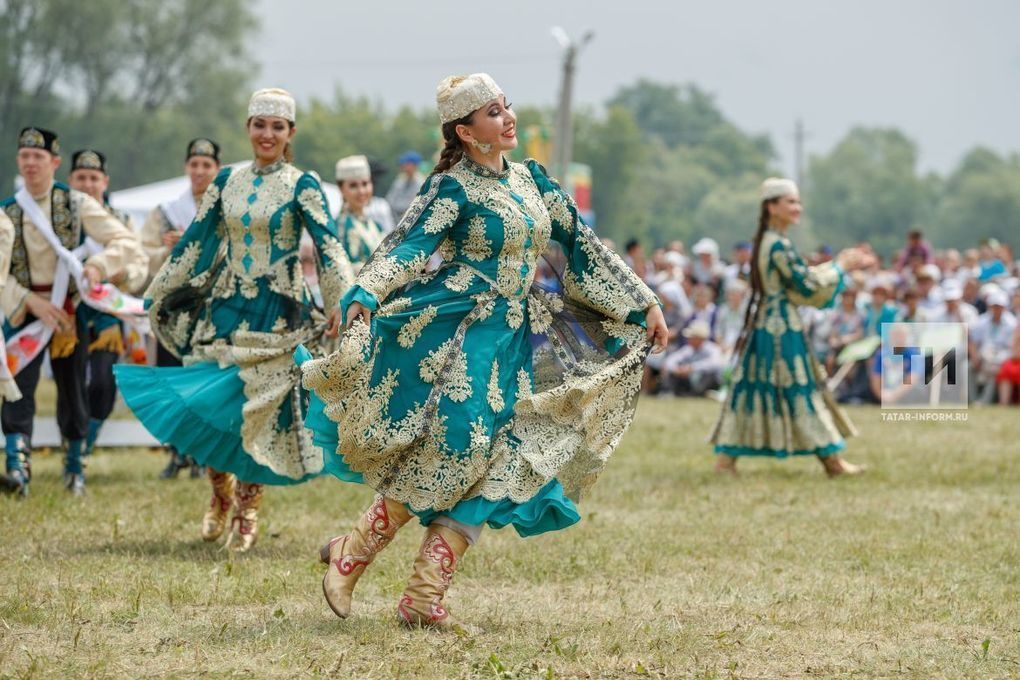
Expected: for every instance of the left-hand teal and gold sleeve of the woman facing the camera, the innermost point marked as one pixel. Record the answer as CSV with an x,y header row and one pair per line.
x,y
182,286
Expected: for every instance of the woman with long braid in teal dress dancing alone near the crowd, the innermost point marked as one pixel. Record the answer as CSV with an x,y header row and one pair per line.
x,y
779,404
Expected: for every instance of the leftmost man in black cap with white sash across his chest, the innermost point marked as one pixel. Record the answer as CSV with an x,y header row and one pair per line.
x,y
50,224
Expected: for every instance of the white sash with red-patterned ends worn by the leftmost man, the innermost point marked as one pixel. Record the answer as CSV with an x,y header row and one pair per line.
x,y
31,341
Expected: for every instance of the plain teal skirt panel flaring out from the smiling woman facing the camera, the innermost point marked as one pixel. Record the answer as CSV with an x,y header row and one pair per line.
x,y
197,409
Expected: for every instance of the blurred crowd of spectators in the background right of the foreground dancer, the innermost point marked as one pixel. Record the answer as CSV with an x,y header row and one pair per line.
x,y
704,297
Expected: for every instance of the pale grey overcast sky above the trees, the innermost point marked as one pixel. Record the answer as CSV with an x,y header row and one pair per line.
x,y
945,72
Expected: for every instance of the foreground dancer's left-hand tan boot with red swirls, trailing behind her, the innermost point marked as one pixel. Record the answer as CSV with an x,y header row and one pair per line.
x,y
348,556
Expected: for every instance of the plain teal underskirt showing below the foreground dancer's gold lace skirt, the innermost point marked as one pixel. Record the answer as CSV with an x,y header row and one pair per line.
x,y
549,510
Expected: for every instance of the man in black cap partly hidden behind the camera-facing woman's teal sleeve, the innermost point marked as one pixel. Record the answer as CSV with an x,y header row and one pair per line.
x,y
162,232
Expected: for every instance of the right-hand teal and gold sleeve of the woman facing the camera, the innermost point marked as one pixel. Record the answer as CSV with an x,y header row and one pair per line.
x,y
335,273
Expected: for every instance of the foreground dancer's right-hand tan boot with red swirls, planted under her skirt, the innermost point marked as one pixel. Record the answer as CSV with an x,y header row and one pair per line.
x,y
422,604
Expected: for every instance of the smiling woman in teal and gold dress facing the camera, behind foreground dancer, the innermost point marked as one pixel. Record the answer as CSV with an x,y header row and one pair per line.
x,y
232,301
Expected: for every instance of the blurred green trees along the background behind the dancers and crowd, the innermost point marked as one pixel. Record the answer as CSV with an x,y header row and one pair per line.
x,y
137,79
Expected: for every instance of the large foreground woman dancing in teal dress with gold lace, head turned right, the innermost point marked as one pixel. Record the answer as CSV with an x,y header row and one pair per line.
x,y
469,396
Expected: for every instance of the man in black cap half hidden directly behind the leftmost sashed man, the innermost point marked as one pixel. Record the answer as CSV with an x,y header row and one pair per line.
x,y
104,332
